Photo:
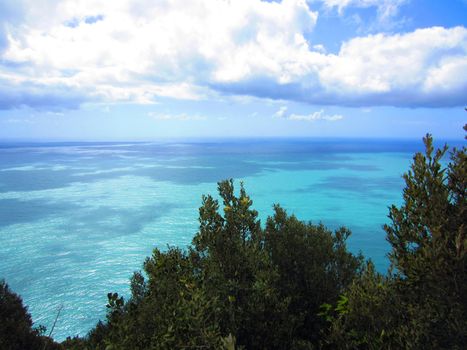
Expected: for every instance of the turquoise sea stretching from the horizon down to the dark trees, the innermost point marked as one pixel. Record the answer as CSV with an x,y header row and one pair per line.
x,y
77,219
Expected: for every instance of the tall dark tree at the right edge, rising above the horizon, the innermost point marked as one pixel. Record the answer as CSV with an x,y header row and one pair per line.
x,y
429,249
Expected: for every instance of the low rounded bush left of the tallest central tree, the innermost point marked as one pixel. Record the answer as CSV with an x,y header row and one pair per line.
x,y
170,312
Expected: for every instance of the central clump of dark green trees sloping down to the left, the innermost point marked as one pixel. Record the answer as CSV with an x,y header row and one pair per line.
x,y
238,286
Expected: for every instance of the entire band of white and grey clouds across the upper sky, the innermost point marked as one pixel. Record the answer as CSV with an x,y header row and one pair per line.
x,y
96,50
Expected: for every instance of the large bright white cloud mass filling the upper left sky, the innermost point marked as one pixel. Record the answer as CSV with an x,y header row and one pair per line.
x,y
163,48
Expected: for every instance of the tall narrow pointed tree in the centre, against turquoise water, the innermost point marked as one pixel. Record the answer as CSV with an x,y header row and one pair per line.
x,y
235,268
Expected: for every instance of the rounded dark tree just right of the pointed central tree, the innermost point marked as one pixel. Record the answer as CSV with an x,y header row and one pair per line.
x,y
314,266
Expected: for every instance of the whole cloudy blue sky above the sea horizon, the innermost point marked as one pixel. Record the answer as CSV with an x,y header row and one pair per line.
x,y
120,70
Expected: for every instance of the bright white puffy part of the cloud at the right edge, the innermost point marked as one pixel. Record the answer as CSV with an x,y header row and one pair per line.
x,y
414,67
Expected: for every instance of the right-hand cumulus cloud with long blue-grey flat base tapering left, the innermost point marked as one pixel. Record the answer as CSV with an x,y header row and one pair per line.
x,y
424,68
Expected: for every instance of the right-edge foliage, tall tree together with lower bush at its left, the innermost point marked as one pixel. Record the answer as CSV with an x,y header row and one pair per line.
x,y
421,304
